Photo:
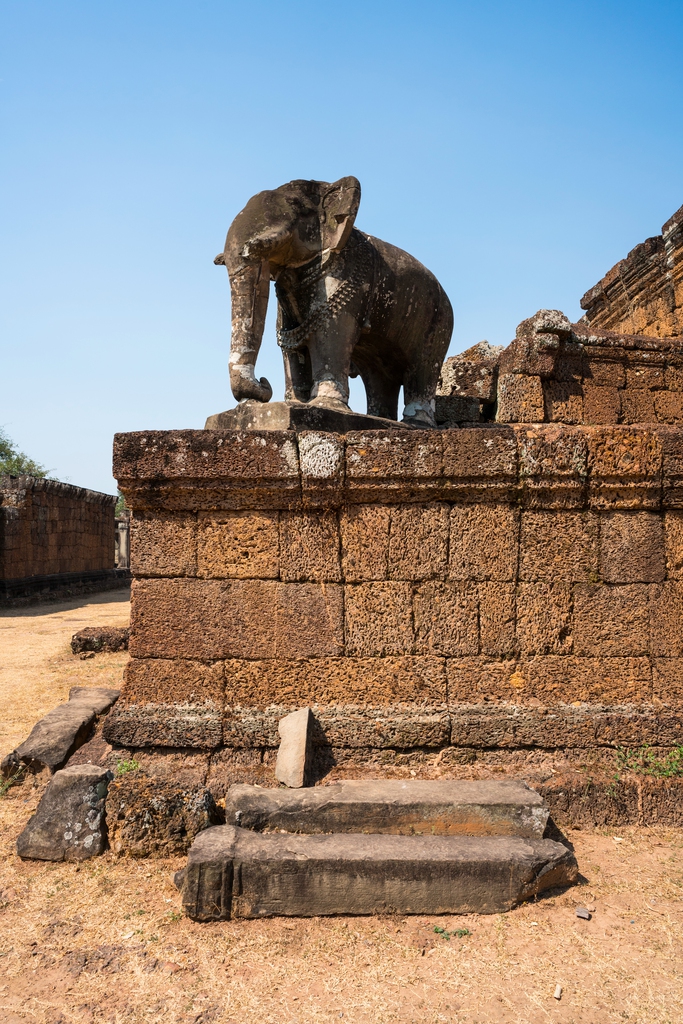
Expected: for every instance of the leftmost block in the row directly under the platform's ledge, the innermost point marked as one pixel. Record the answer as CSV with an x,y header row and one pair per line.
x,y
163,544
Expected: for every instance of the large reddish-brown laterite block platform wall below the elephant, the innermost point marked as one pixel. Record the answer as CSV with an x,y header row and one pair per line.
x,y
497,587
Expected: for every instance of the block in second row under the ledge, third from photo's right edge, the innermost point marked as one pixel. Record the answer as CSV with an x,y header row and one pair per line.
x,y
544,618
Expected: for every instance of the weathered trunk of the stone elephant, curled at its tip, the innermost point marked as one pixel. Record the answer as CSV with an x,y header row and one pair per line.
x,y
250,283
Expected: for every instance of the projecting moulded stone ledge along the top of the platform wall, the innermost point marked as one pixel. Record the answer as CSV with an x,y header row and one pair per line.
x,y
536,465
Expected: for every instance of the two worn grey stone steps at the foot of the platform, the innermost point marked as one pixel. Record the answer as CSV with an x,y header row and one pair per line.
x,y
374,847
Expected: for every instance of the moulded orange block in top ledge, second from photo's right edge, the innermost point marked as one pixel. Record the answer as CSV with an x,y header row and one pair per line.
x,y
625,468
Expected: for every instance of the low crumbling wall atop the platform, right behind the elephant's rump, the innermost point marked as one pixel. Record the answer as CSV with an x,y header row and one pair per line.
x,y
558,372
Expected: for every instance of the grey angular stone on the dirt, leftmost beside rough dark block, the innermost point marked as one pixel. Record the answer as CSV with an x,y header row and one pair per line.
x,y
69,824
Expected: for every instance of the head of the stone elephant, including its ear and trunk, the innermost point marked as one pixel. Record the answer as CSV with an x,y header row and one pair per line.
x,y
287,227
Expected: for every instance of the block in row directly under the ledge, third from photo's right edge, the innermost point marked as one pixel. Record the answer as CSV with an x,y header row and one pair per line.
x,y
561,546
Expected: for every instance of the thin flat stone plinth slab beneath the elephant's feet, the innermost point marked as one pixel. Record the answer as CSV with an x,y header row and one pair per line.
x,y
252,415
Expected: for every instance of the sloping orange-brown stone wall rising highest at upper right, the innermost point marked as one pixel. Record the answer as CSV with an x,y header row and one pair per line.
x,y
644,294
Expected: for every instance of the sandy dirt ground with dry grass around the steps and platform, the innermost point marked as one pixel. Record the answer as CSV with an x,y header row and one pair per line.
x,y
107,942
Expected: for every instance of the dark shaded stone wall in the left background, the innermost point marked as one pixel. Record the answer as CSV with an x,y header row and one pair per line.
x,y
49,529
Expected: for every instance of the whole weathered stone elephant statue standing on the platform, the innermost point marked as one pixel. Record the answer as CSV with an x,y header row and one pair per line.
x,y
349,305
